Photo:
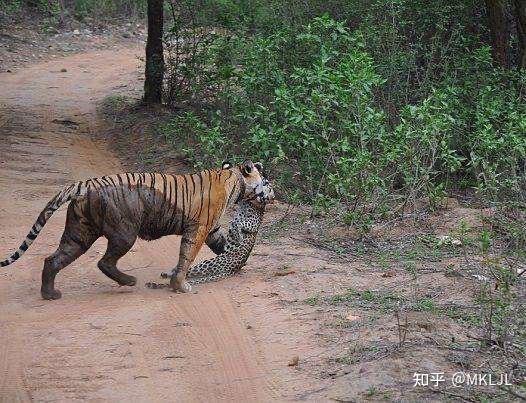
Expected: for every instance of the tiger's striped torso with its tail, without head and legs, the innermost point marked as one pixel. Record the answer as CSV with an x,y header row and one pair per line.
x,y
156,204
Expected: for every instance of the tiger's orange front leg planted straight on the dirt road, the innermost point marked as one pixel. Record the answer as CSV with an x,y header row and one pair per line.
x,y
191,243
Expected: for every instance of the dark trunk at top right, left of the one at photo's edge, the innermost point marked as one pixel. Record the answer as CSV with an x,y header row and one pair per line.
x,y
499,30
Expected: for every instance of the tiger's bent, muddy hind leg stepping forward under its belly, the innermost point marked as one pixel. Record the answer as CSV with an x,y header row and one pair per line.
x,y
118,246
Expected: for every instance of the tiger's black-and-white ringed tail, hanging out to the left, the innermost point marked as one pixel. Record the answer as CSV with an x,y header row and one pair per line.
x,y
53,205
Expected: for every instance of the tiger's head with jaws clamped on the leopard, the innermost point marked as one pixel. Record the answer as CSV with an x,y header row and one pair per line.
x,y
256,185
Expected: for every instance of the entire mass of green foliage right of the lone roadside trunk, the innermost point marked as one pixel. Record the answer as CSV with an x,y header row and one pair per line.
x,y
399,101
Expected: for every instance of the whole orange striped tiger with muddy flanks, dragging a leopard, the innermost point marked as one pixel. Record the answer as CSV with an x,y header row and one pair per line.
x,y
125,206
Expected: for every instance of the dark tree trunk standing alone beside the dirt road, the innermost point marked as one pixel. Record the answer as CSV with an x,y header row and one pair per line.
x,y
154,71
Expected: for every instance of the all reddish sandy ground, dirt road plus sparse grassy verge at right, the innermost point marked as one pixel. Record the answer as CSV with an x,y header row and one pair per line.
x,y
359,317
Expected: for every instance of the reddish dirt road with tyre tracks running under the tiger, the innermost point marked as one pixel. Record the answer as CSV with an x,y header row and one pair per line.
x,y
100,341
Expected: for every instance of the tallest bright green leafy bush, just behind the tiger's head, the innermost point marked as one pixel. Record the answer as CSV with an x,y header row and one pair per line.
x,y
321,119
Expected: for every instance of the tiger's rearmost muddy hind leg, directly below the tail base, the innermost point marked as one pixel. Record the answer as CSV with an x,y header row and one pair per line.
x,y
77,238
